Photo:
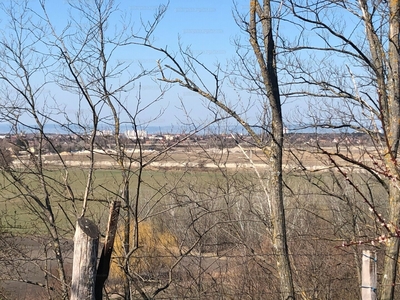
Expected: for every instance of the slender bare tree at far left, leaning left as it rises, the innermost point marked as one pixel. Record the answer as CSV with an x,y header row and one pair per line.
x,y
20,94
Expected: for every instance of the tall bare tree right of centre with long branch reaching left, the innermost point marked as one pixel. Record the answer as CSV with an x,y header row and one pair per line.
x,y
258,26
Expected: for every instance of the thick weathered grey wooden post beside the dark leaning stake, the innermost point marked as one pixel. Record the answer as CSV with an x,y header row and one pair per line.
x,y
86,244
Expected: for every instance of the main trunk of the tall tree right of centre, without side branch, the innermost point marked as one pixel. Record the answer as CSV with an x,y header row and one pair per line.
x,y
266,58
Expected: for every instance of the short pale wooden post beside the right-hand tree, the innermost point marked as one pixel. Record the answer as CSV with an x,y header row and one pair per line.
x,y
368,276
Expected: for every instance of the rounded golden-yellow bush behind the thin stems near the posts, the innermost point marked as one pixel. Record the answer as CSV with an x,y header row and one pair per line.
x,y
155,253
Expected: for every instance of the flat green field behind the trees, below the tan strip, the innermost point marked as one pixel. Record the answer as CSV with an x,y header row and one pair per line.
x,y
159,189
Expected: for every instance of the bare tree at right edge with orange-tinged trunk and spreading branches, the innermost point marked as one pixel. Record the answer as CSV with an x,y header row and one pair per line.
x,y
351,68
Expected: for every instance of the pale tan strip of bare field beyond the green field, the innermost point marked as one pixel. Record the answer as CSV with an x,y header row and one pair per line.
x,y
235,158
